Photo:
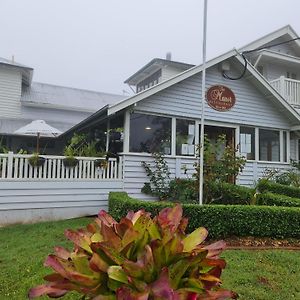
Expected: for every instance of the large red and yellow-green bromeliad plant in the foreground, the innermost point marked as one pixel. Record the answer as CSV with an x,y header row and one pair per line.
x,y
138,258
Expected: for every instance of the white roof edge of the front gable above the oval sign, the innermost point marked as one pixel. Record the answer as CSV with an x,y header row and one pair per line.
x,y
198,69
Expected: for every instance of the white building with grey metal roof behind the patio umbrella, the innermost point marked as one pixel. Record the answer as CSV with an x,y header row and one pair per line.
x,y
22,101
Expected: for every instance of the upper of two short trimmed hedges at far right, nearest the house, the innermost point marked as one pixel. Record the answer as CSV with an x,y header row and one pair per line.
x,y
276,188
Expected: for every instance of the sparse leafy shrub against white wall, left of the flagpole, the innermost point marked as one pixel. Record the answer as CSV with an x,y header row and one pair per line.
x,y
159,175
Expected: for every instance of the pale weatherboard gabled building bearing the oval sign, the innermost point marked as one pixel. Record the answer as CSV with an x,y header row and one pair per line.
x,y
165,113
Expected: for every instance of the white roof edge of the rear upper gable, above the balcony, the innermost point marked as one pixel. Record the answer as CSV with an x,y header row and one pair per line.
x,y
286,30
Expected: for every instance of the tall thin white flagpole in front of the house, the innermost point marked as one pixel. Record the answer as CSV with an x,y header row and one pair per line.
x,y
203,105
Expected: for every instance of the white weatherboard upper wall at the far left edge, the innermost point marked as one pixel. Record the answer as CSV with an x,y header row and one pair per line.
x,y
10,93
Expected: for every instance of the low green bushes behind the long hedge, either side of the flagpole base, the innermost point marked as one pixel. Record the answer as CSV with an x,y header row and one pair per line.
x,y
186,191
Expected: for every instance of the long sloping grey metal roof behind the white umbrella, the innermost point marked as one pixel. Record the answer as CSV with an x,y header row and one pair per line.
x,y
53,96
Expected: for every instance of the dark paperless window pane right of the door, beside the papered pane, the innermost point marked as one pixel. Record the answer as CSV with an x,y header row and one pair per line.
x,y
269,149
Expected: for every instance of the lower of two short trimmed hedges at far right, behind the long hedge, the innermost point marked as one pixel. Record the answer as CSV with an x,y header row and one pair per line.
x,y
277,200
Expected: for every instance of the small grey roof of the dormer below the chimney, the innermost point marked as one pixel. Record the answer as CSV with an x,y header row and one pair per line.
x,y
153,66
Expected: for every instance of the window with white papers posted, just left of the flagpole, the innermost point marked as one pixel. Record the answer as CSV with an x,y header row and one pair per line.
x,y
185,137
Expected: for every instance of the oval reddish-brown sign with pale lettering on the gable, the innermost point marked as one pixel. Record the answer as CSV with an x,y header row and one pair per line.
x,y
220,97
